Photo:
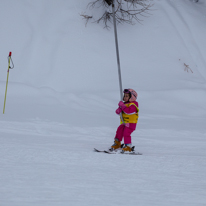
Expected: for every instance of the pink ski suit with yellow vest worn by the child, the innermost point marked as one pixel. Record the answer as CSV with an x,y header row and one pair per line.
x,y
130,118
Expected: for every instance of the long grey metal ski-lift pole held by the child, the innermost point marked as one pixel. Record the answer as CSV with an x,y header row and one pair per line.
x,y
117,52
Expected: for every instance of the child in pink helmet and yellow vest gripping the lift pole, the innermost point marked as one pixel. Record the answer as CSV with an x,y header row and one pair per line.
x,y
129,109
